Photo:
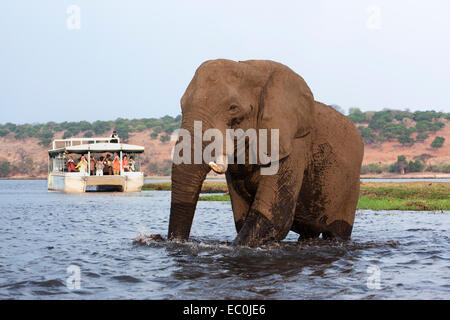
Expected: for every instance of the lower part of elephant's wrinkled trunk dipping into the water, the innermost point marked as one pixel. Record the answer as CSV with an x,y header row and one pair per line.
x,y
187,181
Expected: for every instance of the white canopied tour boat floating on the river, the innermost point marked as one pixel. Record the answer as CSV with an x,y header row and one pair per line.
x,y
125,180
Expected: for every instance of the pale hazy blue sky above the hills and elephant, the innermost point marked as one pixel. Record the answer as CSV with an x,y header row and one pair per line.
x,y
134,59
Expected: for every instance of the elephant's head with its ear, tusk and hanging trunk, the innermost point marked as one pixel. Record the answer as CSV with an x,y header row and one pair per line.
x,y
225,94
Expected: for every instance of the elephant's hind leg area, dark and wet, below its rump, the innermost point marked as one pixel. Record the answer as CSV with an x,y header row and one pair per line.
x,y
328,199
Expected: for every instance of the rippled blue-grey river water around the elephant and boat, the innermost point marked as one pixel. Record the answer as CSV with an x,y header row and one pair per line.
x,y
45,236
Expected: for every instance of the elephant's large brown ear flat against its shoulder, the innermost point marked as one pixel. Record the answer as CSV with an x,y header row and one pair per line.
x,y
287,104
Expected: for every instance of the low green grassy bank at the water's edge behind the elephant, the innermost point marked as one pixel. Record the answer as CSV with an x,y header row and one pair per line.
x,y
426,196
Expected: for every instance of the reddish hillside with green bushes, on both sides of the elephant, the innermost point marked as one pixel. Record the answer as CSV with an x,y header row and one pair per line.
x,y
395,141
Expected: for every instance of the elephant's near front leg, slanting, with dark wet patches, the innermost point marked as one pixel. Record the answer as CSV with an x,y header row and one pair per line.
x,y
272,211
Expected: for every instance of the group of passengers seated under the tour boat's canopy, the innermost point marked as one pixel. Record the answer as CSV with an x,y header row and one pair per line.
x,y
104,165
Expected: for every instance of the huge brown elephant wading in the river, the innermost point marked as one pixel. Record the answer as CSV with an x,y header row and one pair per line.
x,y
316,188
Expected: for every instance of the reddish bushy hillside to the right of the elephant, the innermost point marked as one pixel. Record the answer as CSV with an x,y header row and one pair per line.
x,y
420,137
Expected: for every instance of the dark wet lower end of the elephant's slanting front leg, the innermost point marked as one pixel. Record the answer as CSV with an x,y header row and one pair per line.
x,y
256,230
